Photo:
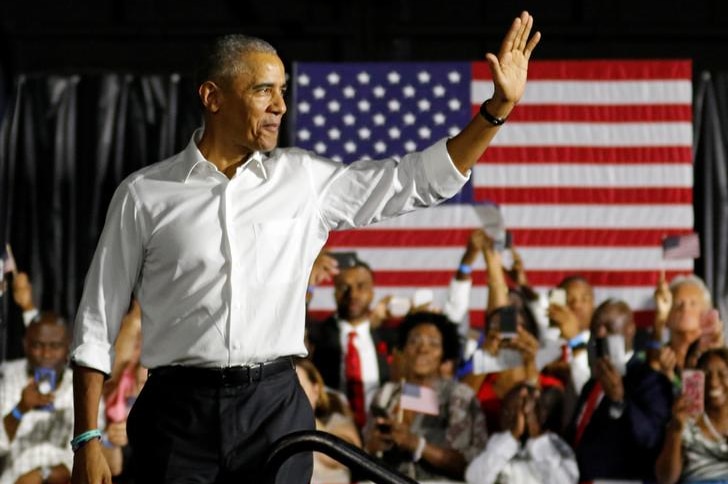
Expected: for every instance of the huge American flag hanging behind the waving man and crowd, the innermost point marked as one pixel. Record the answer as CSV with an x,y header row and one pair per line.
x,y
591,171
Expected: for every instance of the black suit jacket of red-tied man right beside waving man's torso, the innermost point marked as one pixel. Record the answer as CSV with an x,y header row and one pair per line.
x,y
327,353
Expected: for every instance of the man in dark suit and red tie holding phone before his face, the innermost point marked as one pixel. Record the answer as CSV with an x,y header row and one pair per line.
x,y
622,411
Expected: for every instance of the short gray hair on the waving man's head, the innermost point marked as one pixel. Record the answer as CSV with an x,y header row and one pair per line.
x,y
222,61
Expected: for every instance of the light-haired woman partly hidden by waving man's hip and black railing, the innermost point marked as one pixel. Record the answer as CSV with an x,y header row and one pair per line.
x,y
332,417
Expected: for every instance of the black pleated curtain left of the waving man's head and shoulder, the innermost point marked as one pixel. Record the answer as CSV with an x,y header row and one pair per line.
x,y
67,141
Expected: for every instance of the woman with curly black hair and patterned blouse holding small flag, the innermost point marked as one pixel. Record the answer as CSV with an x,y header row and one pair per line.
x,y
431,445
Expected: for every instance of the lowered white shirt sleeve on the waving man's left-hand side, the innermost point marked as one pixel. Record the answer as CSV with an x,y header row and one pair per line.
x,y
110,281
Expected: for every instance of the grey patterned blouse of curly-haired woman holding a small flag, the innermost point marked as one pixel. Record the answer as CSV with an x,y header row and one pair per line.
x,y
460,426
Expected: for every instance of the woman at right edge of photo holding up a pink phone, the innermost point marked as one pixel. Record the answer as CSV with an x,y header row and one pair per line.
x,y
696,449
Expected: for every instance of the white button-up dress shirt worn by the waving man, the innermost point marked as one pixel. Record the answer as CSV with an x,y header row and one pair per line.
x,y
220,266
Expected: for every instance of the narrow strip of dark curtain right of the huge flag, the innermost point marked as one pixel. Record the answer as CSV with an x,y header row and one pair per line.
x,y
711,182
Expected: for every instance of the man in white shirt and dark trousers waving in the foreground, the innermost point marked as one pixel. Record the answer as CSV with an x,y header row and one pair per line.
x,y
217,243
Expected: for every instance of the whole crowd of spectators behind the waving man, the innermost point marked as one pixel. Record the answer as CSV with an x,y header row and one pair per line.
x,y
563,396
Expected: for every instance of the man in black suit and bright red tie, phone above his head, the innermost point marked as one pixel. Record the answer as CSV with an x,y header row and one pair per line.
x,y
351,354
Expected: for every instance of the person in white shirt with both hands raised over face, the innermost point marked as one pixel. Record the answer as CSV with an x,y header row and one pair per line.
x,y
527,451
